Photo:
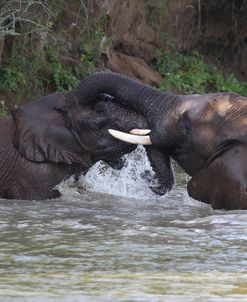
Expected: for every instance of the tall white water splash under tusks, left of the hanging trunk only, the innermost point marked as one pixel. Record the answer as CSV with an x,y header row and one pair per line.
x,y
125,182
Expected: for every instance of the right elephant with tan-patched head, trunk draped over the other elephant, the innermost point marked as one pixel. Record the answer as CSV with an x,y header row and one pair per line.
x,y
205,134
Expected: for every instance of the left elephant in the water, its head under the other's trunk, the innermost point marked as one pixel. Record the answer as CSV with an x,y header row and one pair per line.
x,y
56,136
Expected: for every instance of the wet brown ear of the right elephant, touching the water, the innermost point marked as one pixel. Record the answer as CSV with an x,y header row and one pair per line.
x,y
223,183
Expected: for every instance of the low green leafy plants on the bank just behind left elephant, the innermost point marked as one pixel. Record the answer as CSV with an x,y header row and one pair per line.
x,y
30,75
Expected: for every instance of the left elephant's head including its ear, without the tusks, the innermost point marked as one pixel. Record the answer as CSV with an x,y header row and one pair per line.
x,y
59,129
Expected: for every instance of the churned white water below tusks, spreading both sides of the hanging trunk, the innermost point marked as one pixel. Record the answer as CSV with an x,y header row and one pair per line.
x,y
127,182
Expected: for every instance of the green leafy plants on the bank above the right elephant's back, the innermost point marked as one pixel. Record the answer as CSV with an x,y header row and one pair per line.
x,y
191,74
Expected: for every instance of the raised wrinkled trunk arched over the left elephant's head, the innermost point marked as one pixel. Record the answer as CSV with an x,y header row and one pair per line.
x,y
130,93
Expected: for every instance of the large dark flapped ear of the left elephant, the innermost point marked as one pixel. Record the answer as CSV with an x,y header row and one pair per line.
x,y
41,133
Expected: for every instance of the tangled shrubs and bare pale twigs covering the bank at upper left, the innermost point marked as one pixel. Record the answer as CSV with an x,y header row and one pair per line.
x,y
49,46
